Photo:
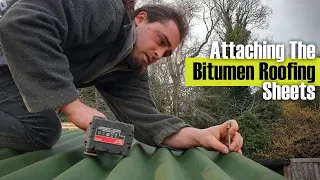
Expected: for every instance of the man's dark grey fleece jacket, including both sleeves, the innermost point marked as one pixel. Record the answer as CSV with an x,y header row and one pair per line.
x,y
54,47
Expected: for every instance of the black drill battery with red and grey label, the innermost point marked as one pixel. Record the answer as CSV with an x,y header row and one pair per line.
x,y
106,136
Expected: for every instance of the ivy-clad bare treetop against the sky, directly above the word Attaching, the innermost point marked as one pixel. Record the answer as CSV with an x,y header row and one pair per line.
x,y
239,18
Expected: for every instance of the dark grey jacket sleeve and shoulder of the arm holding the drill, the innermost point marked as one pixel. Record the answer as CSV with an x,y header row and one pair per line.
x,y
33,34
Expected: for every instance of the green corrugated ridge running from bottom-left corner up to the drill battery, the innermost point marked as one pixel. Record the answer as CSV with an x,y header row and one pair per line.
x,y
12,164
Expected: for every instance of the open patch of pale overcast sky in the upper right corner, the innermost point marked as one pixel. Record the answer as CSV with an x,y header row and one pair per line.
x,y
294,20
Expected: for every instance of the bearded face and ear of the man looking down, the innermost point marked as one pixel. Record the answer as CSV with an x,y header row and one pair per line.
x,y
153,41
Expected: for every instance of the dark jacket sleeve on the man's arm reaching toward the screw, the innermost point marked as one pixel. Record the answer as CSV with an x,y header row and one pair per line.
x,y
131,102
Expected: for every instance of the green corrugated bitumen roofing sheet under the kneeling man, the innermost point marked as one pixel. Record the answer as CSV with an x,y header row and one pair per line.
x,y
66,161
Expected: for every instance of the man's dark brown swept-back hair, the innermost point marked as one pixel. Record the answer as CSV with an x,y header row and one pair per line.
x,y
162,13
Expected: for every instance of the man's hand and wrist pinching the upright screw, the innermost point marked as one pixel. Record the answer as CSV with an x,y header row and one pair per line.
x,y
212,138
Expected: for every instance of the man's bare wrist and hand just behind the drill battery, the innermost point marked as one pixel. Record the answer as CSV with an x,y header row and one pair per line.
x,y
80,114
